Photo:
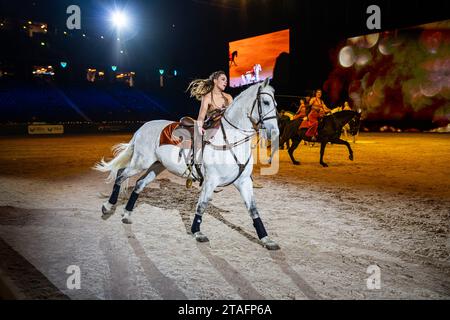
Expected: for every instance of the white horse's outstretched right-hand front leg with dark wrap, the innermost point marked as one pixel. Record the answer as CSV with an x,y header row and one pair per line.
x,y
245,187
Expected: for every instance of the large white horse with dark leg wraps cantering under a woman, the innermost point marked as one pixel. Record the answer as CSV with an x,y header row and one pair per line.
x,y
226,159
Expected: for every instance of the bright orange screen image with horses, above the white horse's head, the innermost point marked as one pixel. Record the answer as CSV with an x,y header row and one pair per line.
x,y
253,59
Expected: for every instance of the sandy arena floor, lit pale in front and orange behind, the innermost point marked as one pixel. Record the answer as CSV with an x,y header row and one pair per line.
x,y
390,207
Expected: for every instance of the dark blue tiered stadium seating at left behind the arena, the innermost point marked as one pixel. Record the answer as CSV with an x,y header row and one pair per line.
x,y
39,100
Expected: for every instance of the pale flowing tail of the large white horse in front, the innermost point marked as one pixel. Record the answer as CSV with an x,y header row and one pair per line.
x,y
122,157
